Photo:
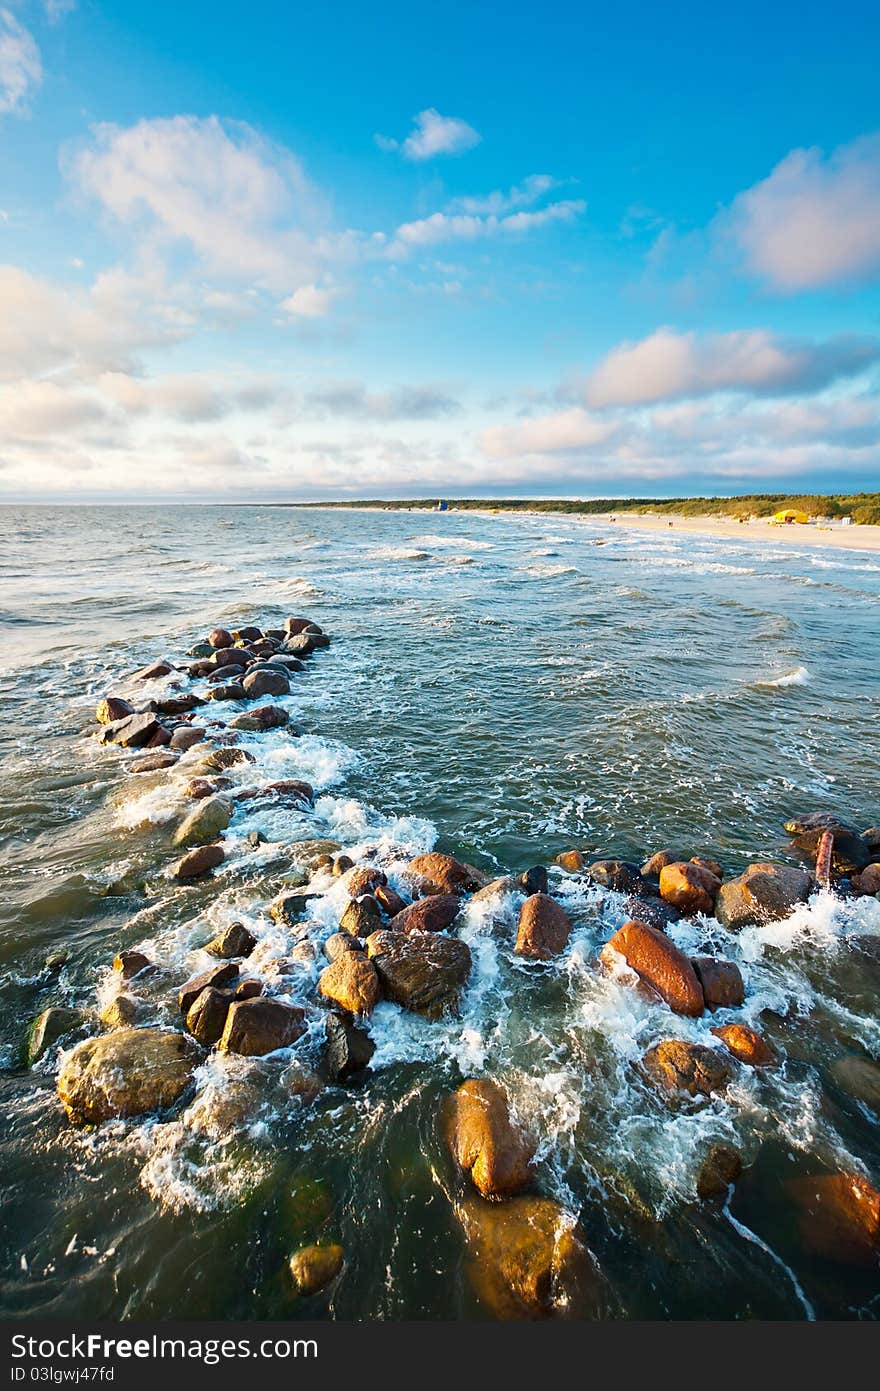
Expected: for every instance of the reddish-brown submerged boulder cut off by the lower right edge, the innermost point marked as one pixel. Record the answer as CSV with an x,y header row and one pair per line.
x,y
839,1218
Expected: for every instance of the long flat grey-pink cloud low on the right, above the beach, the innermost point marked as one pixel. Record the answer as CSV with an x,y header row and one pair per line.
x,y
669,365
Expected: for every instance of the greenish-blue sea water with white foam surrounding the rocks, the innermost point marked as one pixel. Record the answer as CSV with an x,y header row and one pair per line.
x,y
503,688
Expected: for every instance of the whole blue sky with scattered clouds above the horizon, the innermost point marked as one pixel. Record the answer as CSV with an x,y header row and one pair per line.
x,y
265,252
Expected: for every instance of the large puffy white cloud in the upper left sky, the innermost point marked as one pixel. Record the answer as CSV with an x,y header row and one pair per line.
x,y
243,207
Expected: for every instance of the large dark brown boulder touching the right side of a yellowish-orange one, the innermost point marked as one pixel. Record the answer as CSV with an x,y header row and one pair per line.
x,y
423,973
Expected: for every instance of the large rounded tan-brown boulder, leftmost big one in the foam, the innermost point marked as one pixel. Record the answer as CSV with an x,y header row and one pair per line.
x,y
126,1073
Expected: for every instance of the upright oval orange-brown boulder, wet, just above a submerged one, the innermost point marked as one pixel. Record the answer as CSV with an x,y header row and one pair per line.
x,y
484,1140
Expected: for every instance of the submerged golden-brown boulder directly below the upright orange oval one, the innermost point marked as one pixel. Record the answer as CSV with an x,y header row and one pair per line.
x,y
526,1258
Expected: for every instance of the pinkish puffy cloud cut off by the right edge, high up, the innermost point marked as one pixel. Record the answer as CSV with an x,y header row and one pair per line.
x,y
814,222
